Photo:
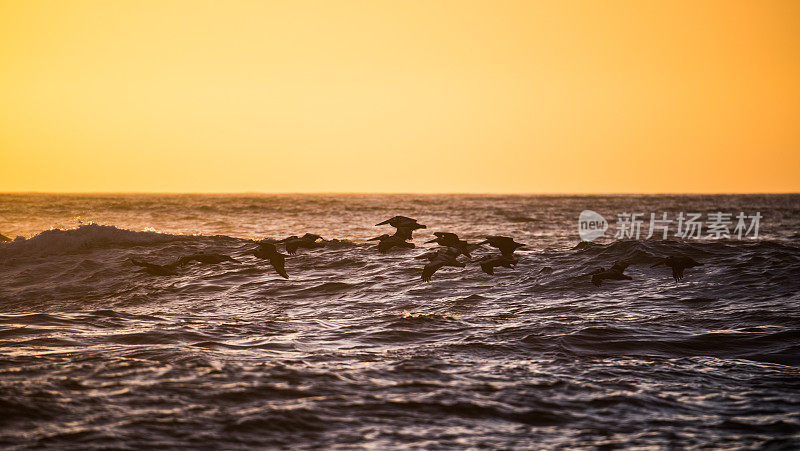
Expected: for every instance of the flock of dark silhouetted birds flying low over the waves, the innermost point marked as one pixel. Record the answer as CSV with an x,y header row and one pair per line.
x,y
452,247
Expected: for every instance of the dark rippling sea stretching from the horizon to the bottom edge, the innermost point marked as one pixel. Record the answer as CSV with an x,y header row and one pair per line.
x,y
354,350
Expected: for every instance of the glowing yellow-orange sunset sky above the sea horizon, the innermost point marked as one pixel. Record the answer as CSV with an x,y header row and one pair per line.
x,y
379,96
